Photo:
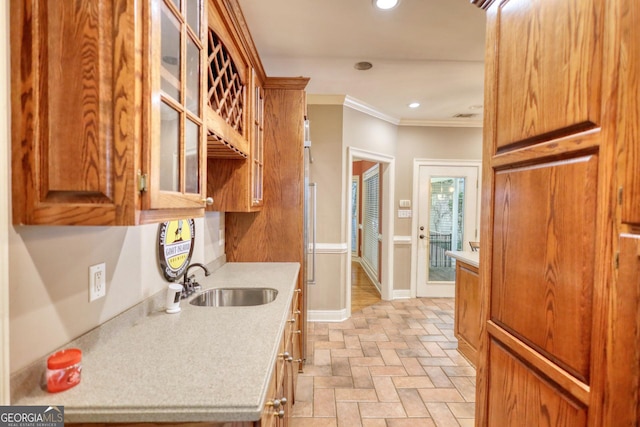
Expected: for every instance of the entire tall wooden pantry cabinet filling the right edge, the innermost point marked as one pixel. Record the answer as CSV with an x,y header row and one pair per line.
x,y
560,265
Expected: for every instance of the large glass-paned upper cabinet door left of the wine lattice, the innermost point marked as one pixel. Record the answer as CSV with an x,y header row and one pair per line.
x,y
176,167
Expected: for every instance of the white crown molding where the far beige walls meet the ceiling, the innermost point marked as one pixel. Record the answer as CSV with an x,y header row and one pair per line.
x,y
355,104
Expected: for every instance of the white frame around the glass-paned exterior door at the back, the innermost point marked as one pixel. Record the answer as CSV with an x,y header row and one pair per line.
x,y
417,163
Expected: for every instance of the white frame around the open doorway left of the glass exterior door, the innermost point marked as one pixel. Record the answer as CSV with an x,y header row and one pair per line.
x,y
388,177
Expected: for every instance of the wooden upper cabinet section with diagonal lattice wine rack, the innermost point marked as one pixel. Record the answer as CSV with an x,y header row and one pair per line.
x,y
235,116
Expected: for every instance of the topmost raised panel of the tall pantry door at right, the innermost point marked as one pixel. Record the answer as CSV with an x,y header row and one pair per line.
x,y
548,69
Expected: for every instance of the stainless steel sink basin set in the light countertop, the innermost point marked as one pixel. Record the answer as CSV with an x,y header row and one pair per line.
x,y
234,297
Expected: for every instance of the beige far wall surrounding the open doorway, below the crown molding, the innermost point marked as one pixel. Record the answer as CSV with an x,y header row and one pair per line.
x,y
333,129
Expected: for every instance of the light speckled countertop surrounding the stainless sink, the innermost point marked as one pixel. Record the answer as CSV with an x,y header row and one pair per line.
x,y
202,364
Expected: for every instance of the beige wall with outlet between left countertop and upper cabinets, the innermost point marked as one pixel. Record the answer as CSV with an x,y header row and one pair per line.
x,y
48,279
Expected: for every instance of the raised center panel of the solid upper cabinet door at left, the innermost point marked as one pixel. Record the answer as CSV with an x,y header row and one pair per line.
x,y
78,104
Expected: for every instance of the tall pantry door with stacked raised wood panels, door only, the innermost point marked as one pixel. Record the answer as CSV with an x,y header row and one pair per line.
x,y
546,228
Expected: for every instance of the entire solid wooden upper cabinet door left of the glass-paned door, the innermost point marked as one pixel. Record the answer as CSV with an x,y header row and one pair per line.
x,y
71,160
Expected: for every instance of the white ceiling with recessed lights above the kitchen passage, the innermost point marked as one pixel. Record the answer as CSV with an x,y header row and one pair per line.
x,y
430,51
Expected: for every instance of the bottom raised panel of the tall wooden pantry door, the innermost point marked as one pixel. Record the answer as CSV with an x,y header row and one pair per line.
x,y
520,397
